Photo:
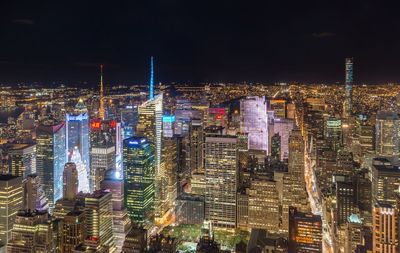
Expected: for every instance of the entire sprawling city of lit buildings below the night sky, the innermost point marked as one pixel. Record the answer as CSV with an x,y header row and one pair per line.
x,y
299,168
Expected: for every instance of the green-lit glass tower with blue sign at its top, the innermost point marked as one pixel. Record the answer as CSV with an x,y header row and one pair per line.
x,y
139,177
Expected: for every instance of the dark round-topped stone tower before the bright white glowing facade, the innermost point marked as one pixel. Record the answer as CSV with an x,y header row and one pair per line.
x,y
70,181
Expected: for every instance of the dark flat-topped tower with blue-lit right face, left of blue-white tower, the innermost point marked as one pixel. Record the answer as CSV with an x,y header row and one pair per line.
x,y
51,157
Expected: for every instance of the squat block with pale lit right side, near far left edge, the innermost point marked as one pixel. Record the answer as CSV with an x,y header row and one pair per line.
x,y
22,159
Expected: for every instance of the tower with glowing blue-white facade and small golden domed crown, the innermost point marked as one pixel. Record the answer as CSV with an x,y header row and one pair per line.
x,y
78,141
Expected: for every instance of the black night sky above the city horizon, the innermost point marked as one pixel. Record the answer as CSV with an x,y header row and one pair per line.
x,y
198,41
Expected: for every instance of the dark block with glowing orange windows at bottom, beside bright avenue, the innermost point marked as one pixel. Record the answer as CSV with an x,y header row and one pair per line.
x,y
305,232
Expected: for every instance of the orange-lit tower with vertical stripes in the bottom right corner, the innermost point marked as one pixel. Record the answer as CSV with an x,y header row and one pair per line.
x,y
385,229
